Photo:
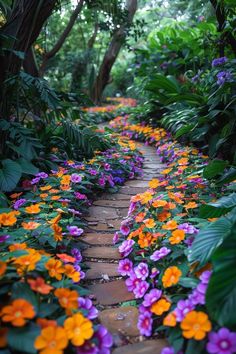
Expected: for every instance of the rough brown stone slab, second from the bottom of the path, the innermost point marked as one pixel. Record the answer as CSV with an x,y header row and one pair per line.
x,y
121,320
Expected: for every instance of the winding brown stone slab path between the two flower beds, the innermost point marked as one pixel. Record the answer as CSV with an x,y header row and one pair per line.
x,y
111,297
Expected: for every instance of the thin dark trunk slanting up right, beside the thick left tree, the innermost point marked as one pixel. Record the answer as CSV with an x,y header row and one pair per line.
x,y
62,38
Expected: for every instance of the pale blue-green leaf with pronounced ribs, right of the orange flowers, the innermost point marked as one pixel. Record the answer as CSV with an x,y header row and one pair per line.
x,y
208,239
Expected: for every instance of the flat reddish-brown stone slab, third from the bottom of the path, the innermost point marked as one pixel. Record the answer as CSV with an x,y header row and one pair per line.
x,y
111,293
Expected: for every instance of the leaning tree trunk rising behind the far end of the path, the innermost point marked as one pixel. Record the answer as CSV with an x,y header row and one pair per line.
x,y
112,52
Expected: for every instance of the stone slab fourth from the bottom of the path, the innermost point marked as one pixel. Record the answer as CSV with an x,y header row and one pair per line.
x,y
100,270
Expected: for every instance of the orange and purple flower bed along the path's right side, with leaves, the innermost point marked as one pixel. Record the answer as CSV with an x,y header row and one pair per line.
x,y
181,278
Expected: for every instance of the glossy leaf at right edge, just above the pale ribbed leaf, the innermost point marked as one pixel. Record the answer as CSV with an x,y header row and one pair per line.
x,y
220,207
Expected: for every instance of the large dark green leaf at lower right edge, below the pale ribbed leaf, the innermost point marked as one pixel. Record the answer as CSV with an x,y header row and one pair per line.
x,y
221,291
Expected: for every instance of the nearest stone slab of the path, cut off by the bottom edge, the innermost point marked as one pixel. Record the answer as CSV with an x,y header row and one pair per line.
x,y
145,347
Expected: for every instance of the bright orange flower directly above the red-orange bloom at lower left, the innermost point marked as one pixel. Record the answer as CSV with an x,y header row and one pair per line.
x,y
27,262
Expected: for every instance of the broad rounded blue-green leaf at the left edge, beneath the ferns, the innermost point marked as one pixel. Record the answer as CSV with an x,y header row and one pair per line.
x,y
10,175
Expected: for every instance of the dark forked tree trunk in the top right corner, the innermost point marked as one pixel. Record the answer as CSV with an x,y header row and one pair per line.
x,y
226,37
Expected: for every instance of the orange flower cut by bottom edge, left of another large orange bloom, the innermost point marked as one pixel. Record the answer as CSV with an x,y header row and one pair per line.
x,y
52,340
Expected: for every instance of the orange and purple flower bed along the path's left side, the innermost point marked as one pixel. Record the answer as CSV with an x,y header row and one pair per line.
x,y
43,306
